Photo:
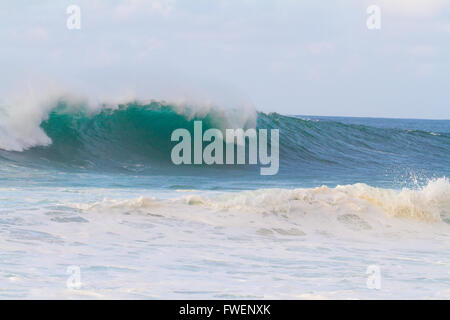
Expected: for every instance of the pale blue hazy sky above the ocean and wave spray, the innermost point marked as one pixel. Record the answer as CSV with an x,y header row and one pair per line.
x,y
285,56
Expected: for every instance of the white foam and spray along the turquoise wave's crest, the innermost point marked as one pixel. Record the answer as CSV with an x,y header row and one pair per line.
x,y
21,114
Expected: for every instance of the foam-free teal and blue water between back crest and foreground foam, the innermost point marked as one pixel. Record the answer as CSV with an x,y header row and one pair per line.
x,y
131,147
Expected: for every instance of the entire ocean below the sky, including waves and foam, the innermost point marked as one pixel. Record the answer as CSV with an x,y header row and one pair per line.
x,y
95,190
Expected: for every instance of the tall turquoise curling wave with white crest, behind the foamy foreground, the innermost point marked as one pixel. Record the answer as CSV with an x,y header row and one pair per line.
x,y
74,134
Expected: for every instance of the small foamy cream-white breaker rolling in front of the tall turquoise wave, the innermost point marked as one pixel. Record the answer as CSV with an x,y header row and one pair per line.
x,y
430,203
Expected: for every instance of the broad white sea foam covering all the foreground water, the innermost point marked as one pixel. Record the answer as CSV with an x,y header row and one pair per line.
x,y
308,244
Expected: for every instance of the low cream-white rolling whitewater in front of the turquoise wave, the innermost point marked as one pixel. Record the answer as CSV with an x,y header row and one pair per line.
x,y
358,206
